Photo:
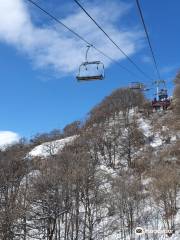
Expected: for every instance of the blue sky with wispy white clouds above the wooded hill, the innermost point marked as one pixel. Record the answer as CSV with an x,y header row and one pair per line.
x,y
39,59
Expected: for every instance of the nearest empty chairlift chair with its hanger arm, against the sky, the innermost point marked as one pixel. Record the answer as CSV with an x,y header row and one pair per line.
x,y
97,66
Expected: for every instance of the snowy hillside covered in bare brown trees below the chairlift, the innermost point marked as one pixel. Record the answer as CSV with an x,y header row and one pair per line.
x,y
118,171
